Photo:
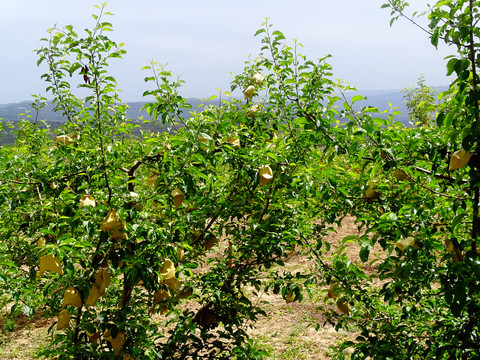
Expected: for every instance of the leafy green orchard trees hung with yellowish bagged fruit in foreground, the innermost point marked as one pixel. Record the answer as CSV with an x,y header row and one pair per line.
x,y
108,231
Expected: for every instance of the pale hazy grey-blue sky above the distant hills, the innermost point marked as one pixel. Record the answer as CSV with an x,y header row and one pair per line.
x,y
205,41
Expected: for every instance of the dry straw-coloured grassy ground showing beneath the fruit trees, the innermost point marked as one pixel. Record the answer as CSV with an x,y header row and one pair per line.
x,y
287,332
